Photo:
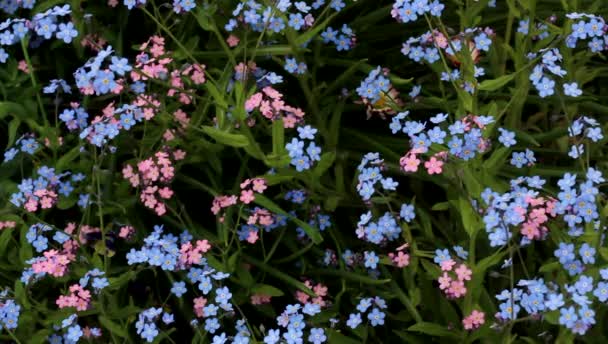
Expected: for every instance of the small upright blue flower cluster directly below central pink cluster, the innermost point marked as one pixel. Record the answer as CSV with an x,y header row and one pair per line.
x,y
300,159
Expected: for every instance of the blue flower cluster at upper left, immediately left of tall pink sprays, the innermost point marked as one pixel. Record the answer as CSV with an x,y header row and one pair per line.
x,y
101,79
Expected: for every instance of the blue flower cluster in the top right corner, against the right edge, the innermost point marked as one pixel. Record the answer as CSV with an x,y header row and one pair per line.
x,y
587,27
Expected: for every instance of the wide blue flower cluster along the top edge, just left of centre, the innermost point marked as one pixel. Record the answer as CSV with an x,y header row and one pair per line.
x,y
258,16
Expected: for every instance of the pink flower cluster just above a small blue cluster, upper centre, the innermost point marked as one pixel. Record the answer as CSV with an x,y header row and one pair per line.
x,y
271,105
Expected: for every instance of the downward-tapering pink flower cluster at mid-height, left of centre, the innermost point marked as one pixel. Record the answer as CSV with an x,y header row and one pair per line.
x,y
154,175
